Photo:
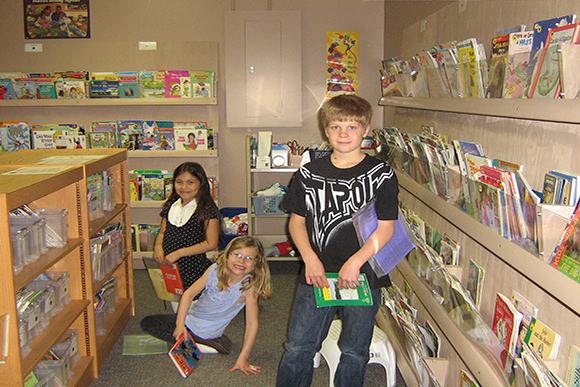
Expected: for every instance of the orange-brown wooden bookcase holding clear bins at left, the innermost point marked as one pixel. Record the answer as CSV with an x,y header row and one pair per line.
x,y
57,179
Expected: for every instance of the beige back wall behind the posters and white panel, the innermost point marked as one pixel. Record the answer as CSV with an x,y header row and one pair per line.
x,y
117,26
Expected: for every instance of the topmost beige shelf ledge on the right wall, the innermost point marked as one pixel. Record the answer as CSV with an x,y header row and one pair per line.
x,y
552,110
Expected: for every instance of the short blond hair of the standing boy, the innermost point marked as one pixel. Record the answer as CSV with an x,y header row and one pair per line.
x,y
345,107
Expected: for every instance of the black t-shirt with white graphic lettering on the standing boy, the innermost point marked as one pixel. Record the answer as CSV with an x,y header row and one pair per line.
x,y
328,196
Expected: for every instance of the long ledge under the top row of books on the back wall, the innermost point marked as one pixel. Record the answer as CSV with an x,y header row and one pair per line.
x,y
107,102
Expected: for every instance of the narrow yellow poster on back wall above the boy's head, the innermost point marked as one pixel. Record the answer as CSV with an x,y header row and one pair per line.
x,y
341,63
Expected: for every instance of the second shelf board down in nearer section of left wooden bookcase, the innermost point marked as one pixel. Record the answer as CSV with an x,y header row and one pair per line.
x,y
46,339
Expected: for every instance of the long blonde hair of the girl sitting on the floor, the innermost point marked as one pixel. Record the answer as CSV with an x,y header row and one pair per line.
x,y
258,279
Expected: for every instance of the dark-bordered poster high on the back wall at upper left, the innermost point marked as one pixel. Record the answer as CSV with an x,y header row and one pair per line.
x,y
56,19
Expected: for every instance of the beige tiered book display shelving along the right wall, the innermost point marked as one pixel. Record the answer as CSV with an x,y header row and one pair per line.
x,y
508,266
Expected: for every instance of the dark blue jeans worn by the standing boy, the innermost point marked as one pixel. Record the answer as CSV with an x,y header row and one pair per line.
x,y
308,328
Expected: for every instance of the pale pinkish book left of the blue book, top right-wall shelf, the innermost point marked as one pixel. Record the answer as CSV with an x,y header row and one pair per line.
x,y
518,71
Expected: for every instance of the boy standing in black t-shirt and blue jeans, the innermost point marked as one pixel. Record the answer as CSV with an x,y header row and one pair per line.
x,y
323,196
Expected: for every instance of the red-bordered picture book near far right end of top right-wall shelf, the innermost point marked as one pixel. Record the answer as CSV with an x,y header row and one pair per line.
x,y
546,75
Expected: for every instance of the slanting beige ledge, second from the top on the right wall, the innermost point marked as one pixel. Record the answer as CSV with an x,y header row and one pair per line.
x,y
557,284
